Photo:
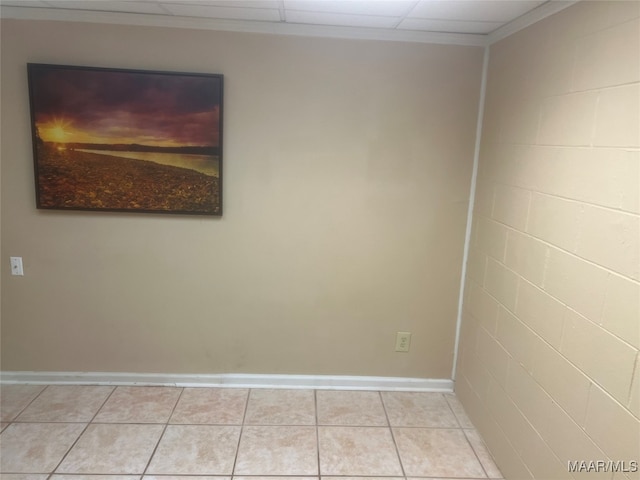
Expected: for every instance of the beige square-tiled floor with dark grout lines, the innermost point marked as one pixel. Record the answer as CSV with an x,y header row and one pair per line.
x,y
169,433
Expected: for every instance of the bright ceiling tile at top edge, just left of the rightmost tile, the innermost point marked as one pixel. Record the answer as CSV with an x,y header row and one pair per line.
x,y
391,8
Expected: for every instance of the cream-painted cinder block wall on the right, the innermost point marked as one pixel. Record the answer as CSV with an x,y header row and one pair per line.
x,y
549,368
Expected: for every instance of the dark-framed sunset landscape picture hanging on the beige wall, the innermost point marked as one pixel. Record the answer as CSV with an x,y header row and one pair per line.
x,y
126,140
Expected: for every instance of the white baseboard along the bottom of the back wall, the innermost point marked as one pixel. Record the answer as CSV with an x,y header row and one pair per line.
x,y
239,380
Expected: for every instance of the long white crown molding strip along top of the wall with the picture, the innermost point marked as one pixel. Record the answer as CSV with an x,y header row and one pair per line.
x,y
166,21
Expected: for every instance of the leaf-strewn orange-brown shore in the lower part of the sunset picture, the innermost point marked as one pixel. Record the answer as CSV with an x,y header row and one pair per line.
x,y
81,180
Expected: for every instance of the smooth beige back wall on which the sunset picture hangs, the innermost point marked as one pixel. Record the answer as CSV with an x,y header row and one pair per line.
x,y
347,170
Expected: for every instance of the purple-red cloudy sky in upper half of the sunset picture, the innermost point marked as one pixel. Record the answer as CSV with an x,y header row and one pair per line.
x,y
110,107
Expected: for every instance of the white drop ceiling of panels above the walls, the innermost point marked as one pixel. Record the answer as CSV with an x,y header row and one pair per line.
x,y
466,17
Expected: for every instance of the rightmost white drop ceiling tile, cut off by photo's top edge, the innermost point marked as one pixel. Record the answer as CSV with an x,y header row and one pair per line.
x,y
473,10
